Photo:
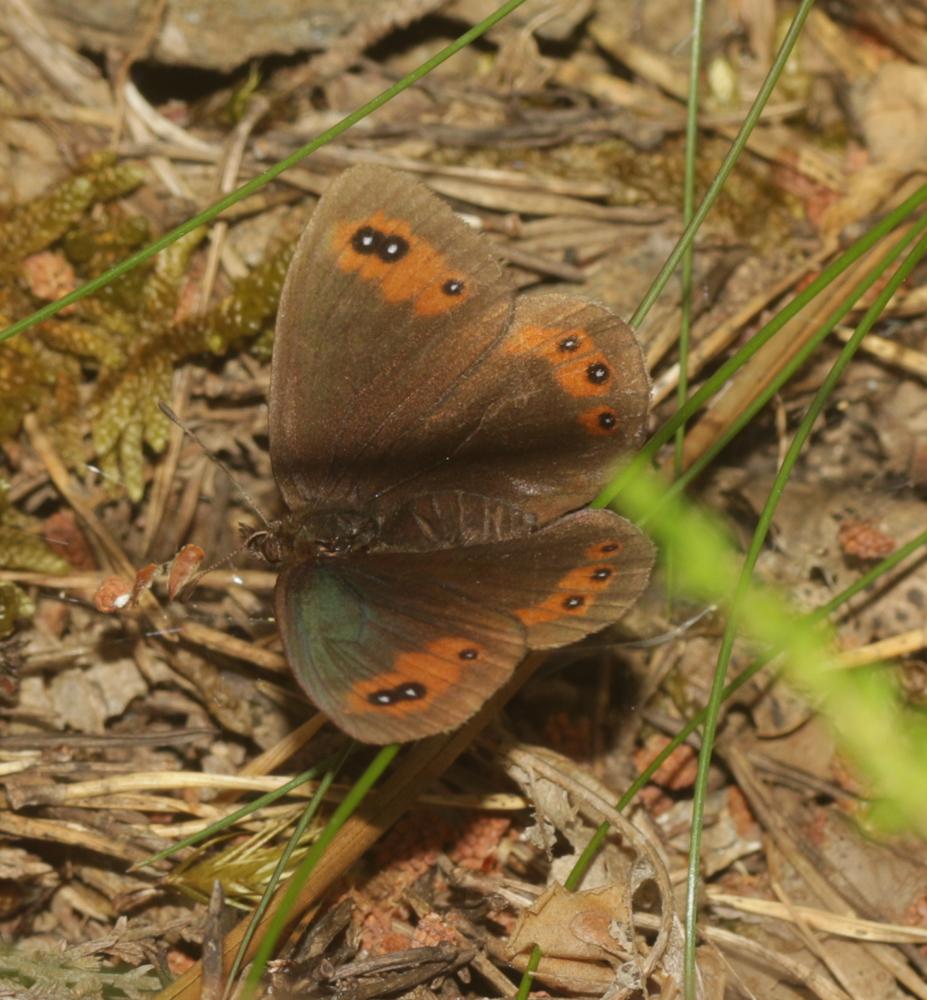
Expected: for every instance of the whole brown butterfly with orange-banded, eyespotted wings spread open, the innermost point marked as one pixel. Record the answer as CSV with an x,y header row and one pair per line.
x,y
434,439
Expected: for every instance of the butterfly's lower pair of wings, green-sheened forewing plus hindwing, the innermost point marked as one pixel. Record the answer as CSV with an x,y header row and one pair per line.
x,y
402,645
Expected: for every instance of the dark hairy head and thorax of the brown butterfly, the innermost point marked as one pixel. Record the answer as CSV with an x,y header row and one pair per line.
x,y
315,534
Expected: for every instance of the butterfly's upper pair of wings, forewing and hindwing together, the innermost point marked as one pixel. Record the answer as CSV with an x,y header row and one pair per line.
x,y
408,371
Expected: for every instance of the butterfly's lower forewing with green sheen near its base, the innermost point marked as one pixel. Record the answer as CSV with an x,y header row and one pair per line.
x,y
385,652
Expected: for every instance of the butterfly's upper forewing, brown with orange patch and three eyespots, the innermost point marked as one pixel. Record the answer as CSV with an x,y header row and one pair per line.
x,y
390,301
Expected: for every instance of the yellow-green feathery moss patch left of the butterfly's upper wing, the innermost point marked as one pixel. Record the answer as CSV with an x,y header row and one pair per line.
x,y
127,339
